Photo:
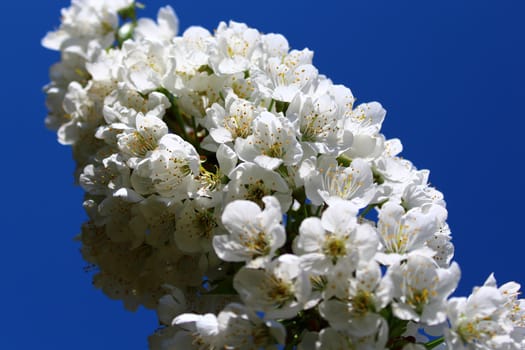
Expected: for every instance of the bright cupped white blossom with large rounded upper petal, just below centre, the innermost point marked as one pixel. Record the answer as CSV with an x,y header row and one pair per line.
x,y
253,232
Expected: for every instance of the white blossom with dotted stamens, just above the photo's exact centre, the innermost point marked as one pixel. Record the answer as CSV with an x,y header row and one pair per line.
x,y
272,143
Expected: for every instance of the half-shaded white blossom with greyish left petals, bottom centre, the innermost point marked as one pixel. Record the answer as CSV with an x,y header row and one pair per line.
x,y
279,290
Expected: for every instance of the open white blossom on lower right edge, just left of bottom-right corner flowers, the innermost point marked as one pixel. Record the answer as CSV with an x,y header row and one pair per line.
x,y
420,289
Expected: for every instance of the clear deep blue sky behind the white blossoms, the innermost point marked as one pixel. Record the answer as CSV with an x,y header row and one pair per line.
x,y
450,74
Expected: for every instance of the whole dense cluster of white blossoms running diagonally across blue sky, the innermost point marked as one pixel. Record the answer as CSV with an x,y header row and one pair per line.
x,y
244,195
